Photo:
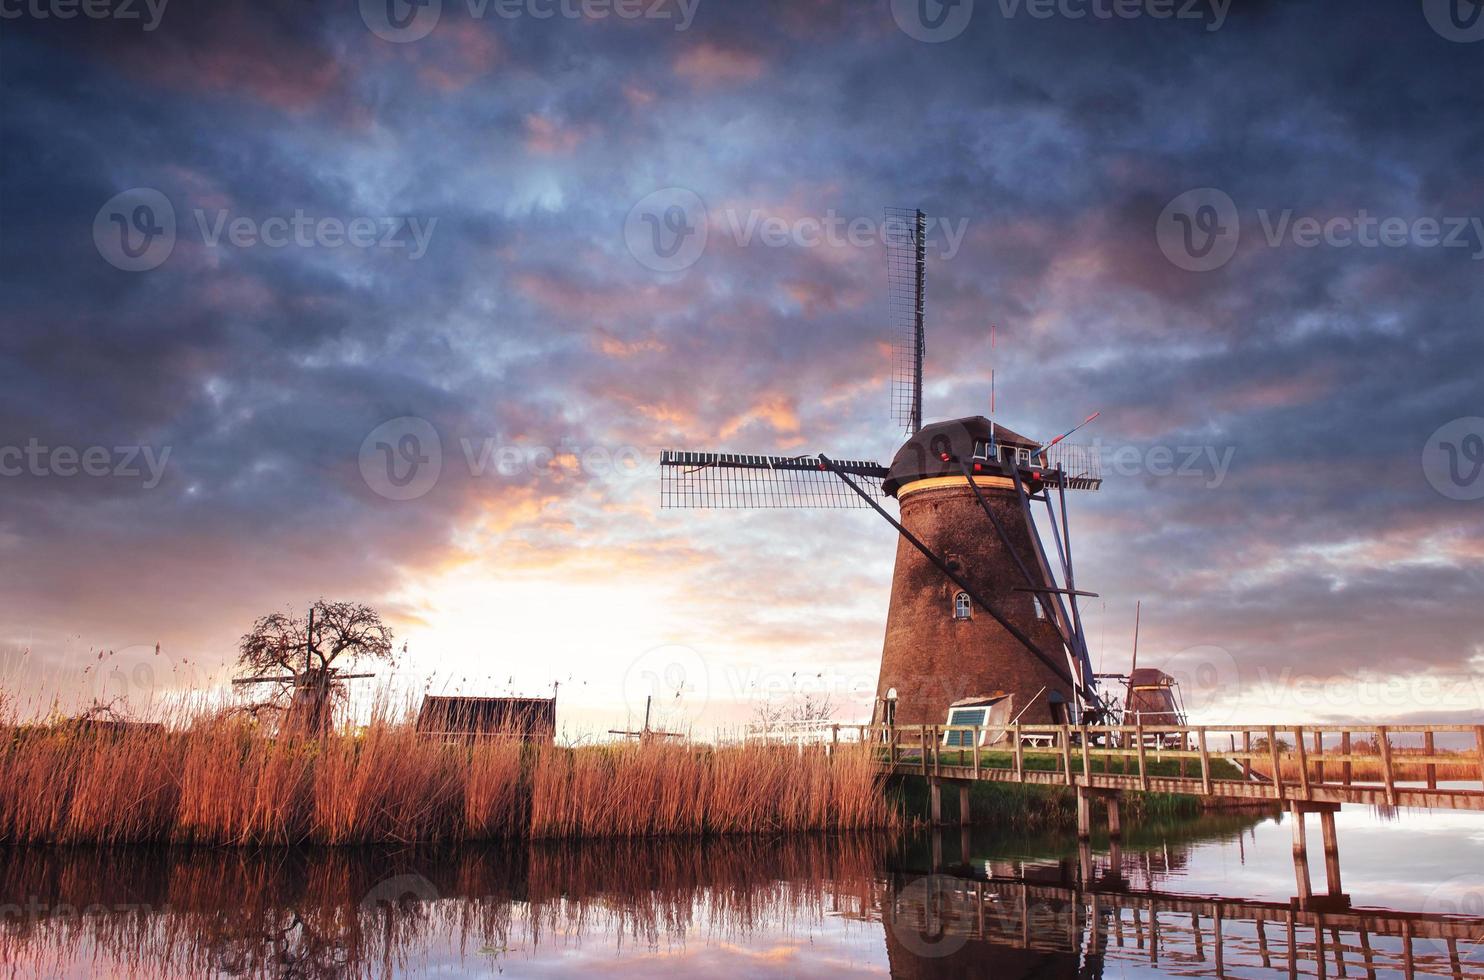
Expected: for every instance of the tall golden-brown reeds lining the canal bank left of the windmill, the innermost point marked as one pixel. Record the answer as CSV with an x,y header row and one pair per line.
x,y
222,782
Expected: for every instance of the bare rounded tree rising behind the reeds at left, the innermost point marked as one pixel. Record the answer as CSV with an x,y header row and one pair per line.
x,y
306,659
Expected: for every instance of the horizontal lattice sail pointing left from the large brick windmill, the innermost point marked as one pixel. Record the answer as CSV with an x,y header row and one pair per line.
x,y
729,480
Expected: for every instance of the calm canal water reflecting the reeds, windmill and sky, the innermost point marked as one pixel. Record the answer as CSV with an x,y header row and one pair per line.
x,y
1207,898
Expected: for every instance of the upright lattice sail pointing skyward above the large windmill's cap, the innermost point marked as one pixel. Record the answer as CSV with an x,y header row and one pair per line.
x,y
906,281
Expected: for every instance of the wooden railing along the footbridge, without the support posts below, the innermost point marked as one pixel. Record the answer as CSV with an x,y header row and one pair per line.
x,y
1393,762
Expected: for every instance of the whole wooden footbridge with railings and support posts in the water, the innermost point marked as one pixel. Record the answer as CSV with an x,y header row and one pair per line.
x,y
1305,770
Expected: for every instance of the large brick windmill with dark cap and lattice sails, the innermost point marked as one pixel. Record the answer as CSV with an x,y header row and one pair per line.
x,y
977,604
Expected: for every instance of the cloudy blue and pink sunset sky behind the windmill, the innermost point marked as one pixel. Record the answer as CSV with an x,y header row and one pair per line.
x,y
400,304
